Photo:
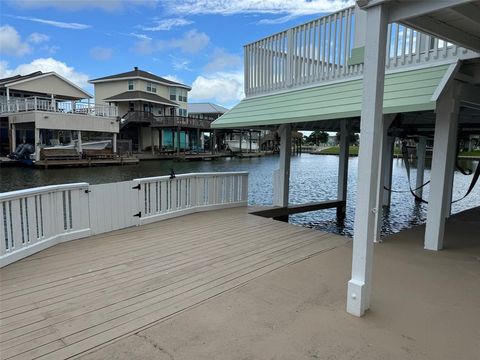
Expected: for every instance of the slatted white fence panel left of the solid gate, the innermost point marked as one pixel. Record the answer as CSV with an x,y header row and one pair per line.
x,y
34,219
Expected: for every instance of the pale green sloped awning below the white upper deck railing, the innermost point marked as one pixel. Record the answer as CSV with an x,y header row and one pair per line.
x,y
406,91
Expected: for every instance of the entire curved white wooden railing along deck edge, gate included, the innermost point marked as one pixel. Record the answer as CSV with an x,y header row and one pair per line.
x,y
34,219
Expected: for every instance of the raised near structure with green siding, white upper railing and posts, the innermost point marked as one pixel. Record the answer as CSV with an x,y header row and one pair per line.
x,y
417,73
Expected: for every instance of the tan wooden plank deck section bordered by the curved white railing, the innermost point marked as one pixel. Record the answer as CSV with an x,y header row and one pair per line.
x,y
80,295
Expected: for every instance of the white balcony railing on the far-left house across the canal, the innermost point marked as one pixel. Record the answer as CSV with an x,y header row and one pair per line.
x,y
46,104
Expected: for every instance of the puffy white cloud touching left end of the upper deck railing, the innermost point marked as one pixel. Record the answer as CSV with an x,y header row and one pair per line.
x,y
222,87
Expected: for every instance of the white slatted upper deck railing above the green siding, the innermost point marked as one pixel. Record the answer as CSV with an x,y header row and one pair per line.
x,y
328,49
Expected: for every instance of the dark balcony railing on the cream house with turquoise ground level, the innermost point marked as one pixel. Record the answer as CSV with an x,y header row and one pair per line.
x,y
164,121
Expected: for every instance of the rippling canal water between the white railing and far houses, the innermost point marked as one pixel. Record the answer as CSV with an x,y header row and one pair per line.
x,y
313,178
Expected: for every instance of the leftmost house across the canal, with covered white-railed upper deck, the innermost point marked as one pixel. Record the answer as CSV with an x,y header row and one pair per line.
x,y
47,110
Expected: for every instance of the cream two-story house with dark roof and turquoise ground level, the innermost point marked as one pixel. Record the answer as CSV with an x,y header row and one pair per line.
x,y
153,110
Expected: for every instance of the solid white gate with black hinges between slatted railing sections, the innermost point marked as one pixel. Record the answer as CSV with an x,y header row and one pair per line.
x,y
113,206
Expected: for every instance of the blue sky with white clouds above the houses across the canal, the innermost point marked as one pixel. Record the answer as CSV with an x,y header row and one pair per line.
x,y
197,42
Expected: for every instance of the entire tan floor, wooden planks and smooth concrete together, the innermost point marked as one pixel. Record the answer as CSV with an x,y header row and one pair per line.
x,y
124,295
